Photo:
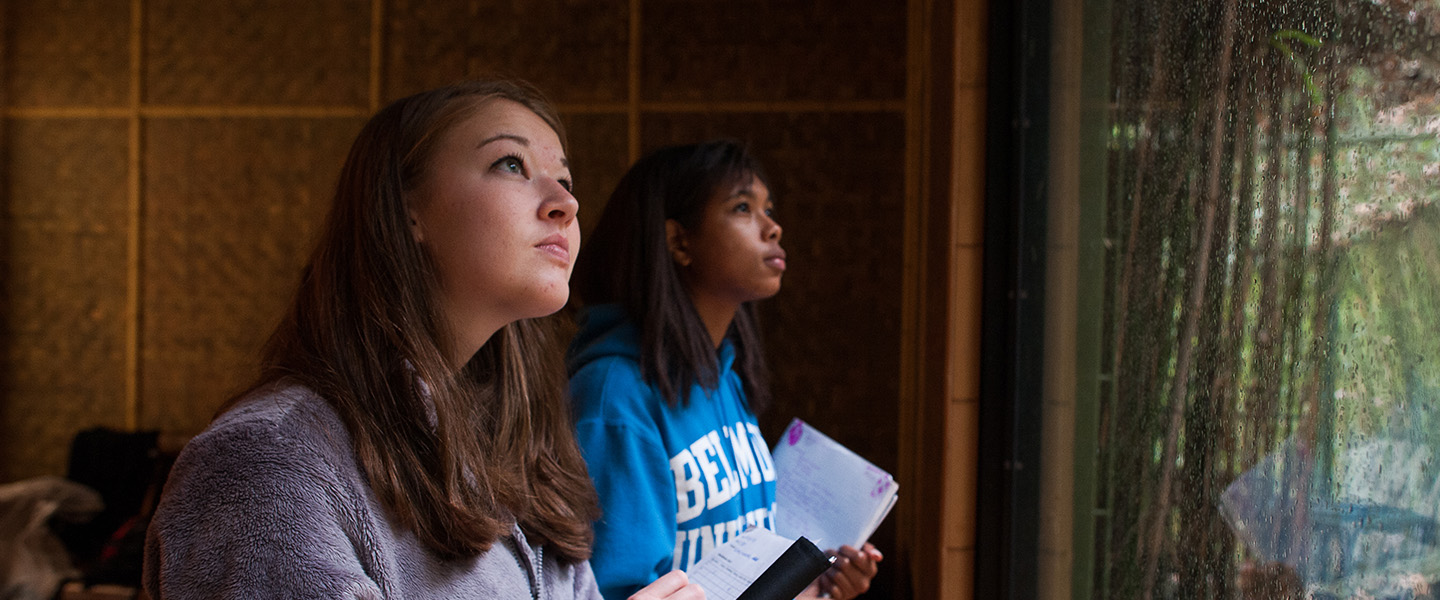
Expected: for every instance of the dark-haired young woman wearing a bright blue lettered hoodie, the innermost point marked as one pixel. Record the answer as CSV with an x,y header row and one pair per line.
x,y
667,372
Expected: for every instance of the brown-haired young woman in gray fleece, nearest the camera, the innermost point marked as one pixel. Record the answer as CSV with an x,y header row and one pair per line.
x,y
408,435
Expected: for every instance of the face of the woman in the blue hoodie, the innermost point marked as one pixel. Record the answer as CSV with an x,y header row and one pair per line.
x,y
735,255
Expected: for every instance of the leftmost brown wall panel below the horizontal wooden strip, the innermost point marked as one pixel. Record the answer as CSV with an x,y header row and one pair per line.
x,y
63,290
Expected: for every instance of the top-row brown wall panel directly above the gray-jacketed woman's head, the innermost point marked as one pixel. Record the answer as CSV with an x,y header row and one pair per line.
x,y
575,51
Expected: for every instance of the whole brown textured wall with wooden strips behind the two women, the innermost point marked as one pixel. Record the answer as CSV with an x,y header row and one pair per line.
x,y
165,175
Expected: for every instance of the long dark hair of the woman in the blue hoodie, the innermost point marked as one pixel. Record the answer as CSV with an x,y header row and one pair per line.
x,y
627,263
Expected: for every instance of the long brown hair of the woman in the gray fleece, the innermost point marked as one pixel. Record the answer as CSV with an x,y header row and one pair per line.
x,y
454,458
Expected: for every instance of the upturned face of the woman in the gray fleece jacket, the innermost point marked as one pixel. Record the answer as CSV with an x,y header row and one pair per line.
x,y
496,214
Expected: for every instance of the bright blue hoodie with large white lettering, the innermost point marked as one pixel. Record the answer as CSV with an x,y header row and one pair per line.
x,y
675,483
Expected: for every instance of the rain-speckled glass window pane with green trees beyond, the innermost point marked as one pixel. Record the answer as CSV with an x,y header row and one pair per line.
x,y
1271,419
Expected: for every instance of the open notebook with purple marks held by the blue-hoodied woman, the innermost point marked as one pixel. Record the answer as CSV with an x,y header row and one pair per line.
x,y
826,491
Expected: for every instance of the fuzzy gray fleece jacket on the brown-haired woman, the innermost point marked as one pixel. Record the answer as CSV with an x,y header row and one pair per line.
x,y
269,503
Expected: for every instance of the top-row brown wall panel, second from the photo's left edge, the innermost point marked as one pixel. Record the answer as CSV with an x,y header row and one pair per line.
x,y
258,53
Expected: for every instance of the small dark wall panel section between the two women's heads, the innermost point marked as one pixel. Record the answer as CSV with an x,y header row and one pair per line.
x,y
598,159
